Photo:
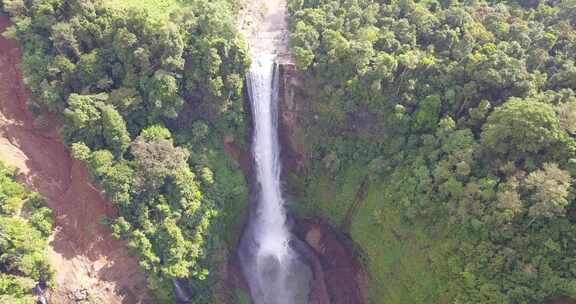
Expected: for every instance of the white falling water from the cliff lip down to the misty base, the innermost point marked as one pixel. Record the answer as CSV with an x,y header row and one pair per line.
x,y
274,271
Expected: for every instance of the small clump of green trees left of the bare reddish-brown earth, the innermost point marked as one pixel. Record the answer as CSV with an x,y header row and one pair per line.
x,y
25,225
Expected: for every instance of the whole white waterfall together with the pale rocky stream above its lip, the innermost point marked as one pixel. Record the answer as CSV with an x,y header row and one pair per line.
x,y
274,270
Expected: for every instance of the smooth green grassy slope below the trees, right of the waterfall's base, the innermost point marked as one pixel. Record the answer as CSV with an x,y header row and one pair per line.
x,y
405,263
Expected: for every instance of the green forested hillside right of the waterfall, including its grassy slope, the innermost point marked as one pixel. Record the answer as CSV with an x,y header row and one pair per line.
x,y
462,115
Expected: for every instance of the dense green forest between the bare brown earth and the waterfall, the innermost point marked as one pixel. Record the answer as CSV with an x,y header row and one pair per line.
x,y
146,102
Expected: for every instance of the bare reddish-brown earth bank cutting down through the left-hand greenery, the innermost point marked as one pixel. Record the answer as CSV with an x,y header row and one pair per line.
x,y
90,264
